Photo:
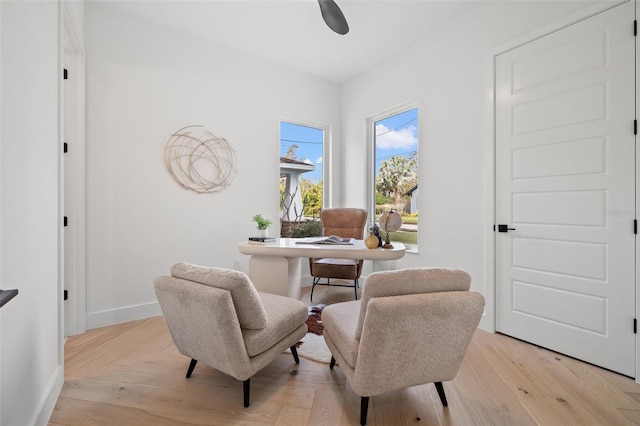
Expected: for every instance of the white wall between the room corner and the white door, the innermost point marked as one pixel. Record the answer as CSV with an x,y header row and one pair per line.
x,y
447,75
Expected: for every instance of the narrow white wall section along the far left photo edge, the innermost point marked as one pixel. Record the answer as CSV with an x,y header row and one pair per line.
x,y
31,348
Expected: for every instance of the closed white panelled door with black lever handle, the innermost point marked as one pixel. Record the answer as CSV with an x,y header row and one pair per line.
x,y
565,173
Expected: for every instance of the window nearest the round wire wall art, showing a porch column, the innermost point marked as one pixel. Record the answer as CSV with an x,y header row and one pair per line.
x,y
301,178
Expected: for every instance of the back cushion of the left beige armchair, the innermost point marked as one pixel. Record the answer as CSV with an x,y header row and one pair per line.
x,y
251,313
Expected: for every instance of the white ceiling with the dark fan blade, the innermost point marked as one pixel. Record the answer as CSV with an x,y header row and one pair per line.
x,y
292,32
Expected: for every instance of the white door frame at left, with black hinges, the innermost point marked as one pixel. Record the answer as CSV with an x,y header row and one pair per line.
x,y
74,278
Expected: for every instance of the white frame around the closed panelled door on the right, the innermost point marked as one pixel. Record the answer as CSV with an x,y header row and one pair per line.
x,y
488,321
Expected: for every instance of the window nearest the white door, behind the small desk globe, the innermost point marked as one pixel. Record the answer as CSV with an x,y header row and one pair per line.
x,y
395,171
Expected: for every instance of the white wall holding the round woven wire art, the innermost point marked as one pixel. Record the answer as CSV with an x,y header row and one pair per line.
x,y
143,83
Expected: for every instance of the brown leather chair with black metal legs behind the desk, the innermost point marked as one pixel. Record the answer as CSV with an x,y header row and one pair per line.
x,y
343,222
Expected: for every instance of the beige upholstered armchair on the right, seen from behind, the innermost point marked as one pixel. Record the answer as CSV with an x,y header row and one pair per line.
x,y
411,327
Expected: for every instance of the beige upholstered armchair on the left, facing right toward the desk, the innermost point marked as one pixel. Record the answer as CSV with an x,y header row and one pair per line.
x,y
217,317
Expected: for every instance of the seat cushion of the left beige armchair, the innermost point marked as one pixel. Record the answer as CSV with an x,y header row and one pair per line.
x,y
284,315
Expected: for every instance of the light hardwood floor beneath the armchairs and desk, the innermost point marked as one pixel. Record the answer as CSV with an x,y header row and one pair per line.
x,y
132,374
